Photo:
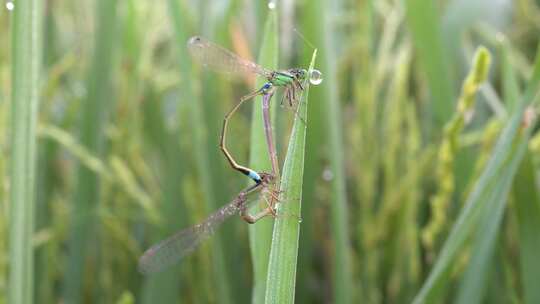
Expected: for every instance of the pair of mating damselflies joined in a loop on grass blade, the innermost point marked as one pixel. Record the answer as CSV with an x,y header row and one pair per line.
x,y
211,55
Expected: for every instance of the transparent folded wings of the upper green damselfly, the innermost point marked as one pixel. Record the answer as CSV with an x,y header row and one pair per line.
x,y
220,59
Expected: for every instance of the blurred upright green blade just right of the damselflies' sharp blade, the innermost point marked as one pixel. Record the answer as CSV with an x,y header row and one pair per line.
x,y
331,124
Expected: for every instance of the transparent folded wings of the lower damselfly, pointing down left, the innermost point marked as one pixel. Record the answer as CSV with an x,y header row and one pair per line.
x,y
174,248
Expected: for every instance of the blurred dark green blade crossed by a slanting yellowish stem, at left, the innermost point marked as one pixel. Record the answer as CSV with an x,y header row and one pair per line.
x,y
94,108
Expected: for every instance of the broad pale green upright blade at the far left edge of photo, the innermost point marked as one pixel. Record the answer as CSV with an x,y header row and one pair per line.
x,y
26,51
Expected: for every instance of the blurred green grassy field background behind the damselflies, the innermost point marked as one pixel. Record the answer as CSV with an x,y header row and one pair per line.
x,y
421,173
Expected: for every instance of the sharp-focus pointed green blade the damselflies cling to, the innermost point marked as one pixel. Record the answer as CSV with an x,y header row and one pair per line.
x,y
280,284
